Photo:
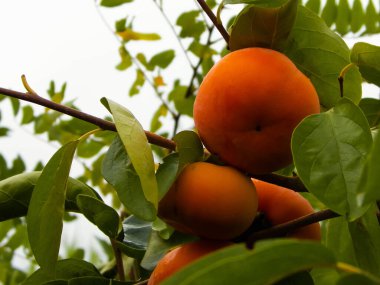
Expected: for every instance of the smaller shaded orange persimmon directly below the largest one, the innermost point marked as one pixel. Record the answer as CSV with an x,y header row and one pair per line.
x,y
210,201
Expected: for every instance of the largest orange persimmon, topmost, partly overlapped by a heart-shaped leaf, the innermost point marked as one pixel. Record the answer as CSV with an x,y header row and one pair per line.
x,y
248,106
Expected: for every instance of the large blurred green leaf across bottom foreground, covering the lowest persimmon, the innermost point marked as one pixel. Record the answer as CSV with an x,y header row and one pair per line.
x,y
255,267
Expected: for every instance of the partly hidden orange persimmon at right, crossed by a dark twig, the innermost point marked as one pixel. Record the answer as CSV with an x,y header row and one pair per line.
x,y
281,205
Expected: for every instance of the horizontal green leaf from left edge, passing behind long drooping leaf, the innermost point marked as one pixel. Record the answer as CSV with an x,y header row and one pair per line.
x,y
15,193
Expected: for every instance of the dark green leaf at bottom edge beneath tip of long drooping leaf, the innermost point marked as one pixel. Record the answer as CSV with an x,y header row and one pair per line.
x,y
65,270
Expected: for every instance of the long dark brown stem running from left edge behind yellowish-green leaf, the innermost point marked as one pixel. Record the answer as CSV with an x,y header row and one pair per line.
x,y
103,124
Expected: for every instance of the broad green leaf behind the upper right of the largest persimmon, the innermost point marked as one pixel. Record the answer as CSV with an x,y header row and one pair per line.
x,y
321,55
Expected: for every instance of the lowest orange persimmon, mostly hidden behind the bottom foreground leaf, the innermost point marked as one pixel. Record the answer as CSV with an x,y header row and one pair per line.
x,y
182,256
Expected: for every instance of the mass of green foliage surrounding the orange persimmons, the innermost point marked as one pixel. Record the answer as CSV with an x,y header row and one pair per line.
x,y
336,155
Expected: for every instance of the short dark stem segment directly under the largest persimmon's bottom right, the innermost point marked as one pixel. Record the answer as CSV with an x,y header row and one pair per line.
x,y
293,182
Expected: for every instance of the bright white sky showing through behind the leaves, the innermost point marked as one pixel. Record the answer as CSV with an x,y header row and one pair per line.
x,y
68,41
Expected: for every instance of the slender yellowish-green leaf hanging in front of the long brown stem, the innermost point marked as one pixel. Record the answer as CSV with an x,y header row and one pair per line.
x,y
136,144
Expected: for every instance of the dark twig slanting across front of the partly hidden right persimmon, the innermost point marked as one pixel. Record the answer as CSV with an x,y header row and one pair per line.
x,y
283,229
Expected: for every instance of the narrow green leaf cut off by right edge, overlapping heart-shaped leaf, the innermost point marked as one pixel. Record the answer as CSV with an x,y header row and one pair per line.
x,y
369,187
